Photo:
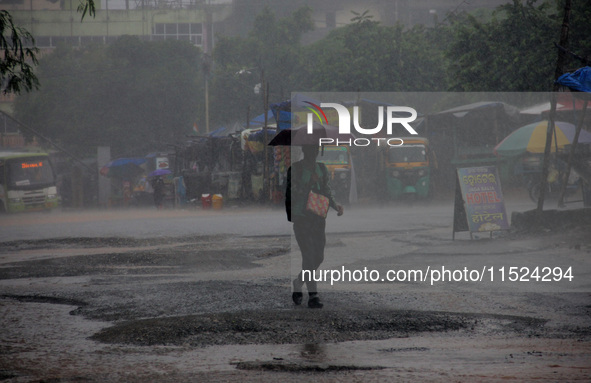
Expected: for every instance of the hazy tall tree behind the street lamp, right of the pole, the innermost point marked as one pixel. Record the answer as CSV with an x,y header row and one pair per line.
x,y
271,50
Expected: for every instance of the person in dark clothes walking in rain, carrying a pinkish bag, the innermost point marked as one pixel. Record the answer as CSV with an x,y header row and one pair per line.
x,y
309,227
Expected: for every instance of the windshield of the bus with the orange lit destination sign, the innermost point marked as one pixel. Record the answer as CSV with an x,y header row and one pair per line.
x,y
29,173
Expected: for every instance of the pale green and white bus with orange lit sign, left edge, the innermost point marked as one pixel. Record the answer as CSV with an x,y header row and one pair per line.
x,y
27,182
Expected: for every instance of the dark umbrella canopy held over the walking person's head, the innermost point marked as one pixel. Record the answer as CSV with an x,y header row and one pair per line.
x,y
299,136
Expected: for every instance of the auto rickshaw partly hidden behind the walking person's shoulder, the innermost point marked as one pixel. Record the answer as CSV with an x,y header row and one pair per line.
x,y
338,161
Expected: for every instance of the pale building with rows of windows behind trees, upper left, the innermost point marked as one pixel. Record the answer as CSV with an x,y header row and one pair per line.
x,y
53,22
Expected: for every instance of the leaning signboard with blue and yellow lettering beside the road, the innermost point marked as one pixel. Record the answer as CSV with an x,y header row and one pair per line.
x,y
479,205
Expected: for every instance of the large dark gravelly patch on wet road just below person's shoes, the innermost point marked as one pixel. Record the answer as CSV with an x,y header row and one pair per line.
x,y
280,327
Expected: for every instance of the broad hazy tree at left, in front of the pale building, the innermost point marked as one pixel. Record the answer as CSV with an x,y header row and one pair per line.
x,y
134,96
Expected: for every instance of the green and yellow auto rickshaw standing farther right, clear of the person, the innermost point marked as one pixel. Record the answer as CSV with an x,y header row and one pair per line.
x,y
408,169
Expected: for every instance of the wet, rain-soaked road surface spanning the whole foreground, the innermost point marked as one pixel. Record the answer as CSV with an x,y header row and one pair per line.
x,y
174,296
